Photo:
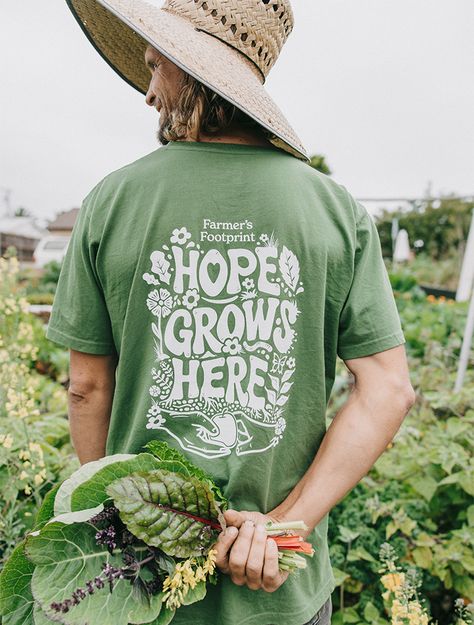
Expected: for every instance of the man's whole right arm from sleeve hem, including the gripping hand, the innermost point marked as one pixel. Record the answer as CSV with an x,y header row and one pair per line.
x,y
380,399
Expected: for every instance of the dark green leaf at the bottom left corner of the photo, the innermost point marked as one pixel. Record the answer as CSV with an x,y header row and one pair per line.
x,y
16,600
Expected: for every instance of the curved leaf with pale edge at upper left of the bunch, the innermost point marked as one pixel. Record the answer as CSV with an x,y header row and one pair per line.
x,y
86,486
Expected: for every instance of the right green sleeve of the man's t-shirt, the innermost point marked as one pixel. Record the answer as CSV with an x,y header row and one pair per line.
x,y
369,321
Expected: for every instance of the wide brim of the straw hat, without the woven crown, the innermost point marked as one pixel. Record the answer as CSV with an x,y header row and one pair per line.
x,y
120,30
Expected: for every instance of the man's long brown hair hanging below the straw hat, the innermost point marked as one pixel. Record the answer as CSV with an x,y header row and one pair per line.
x,y
200,110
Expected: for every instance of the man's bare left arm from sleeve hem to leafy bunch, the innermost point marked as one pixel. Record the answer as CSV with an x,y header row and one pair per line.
x,y
90,395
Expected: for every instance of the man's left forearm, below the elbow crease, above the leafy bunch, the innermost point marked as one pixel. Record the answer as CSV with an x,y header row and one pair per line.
x,y
89,417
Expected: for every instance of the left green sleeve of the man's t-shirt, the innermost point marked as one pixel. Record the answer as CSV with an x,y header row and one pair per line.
x,y
79,317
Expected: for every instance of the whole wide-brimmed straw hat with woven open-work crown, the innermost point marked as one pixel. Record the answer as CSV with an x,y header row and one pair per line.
x,y
229,45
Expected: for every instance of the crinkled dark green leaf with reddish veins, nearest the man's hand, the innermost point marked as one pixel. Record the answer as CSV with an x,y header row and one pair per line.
x,y
161,507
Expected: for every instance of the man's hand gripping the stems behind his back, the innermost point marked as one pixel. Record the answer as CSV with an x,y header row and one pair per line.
x,y
246,554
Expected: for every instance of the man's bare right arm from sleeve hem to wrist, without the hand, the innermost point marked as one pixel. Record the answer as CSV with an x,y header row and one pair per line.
x,y
380,399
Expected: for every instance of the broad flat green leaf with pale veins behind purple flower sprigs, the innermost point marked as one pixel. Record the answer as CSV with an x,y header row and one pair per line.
x,y
59,553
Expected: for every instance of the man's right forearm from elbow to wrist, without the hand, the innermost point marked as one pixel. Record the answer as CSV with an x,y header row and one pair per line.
x,y
358,435
